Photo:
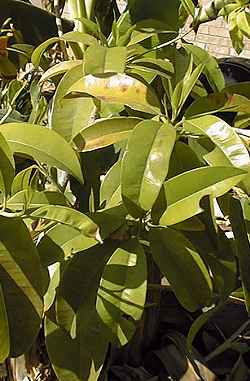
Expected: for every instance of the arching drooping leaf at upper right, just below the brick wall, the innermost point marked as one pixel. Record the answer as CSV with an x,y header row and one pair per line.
x,y
211,67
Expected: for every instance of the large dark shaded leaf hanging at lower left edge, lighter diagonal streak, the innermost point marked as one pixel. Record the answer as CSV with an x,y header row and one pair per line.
x,y
21,281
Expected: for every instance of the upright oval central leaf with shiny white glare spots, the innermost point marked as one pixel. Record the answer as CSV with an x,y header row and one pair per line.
x,y
145,169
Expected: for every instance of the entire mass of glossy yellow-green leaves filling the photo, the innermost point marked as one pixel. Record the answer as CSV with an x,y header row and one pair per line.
x,y
76,239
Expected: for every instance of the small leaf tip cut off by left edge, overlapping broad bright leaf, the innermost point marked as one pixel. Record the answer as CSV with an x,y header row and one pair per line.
x,y
7,166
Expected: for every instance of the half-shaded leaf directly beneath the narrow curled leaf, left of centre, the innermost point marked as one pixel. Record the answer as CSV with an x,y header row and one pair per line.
x,y
60,242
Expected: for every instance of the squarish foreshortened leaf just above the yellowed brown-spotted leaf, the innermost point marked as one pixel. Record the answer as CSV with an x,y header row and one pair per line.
x,y
100,60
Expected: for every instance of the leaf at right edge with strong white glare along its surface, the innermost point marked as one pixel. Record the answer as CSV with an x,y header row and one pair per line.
x,y
229,150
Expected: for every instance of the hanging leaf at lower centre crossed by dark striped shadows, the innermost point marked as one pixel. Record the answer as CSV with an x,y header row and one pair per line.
x,y
122,291
